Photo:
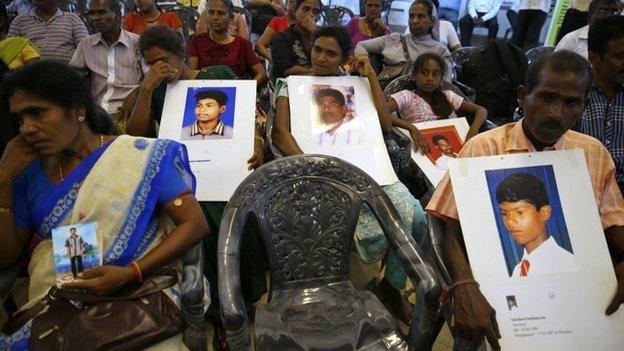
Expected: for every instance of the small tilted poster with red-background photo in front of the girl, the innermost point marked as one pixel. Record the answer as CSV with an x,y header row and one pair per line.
x,y
445,138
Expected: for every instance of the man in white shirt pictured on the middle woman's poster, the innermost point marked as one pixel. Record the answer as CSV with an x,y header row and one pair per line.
x,y
336,127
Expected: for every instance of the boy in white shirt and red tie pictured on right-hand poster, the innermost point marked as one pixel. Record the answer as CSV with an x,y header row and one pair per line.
x,y
525,208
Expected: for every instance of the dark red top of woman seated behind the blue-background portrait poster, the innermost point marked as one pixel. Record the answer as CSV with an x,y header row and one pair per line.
x,y
238,54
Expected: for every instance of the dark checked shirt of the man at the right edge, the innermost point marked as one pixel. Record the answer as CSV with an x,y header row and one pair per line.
x,y
604,120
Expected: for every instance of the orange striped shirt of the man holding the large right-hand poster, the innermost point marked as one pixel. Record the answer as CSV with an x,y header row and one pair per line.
x,y
510,139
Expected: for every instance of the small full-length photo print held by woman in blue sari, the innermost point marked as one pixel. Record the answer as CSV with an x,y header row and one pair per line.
x,y
75,251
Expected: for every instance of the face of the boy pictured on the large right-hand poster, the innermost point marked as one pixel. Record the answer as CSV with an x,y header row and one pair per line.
x,y
523,221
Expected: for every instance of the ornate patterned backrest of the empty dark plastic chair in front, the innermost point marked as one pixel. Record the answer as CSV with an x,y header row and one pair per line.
x,y
306,209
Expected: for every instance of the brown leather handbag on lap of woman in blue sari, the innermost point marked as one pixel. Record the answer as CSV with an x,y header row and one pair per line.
x,y
130,320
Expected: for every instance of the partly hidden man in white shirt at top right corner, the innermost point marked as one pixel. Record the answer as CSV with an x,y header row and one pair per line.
x,y
577,40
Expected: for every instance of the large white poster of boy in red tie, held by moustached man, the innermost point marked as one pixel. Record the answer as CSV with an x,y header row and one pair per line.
x,y
537,248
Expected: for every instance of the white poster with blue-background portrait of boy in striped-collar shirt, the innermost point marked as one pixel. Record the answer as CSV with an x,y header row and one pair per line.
x,y
216,122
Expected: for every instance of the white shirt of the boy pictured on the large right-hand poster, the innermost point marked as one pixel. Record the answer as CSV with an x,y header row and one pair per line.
x,y
548,258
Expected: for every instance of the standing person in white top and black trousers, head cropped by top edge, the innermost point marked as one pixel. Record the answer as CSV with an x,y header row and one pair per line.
x,y
531,18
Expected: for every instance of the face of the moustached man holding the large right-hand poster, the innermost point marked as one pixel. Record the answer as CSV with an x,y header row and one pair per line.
x,y
553,106
